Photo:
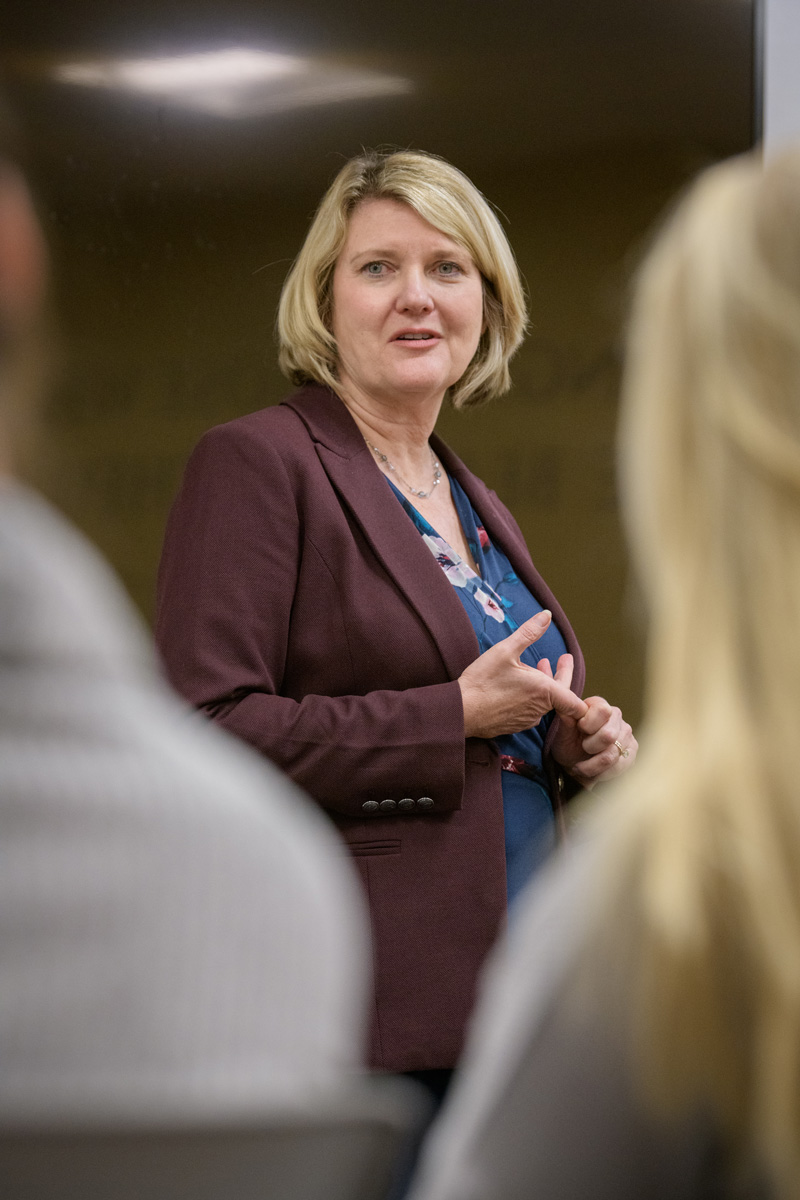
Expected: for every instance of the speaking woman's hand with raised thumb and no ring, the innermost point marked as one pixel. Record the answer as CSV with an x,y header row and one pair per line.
x,y
503,695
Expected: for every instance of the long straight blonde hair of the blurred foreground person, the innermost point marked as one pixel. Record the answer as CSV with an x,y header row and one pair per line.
x,y
708,841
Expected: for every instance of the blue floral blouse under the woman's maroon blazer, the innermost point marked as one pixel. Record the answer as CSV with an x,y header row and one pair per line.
x,y
497,603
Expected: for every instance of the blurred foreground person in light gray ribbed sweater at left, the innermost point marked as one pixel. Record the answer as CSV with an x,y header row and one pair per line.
x,y
181,934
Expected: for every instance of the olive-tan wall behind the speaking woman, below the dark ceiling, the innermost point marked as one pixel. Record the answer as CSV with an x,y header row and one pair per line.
x,y
167,307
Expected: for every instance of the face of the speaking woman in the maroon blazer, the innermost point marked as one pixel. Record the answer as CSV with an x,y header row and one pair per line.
x,y
408,307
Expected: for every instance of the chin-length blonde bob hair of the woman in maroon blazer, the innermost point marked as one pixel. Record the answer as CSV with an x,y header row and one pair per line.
x,y
444,197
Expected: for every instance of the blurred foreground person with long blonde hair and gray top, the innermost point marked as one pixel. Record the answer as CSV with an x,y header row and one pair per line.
x,y
640,1030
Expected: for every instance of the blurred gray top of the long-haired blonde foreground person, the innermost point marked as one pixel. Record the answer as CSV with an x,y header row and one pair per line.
x,y
546,1103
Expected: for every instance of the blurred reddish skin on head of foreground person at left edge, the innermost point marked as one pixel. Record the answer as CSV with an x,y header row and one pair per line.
x,y
23,256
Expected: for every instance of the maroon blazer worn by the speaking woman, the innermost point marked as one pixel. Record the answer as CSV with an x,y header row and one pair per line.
x,y
300,609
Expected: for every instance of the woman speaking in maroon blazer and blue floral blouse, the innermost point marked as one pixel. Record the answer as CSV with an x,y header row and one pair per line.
x,y
341,592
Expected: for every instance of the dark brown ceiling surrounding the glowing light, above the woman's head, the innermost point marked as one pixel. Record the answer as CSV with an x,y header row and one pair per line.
x,y
490,83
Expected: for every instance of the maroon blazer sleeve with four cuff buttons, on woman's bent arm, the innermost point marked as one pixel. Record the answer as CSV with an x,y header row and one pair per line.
x,y
226,589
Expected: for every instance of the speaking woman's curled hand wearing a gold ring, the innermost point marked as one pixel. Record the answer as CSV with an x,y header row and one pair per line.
x,y
598,746
